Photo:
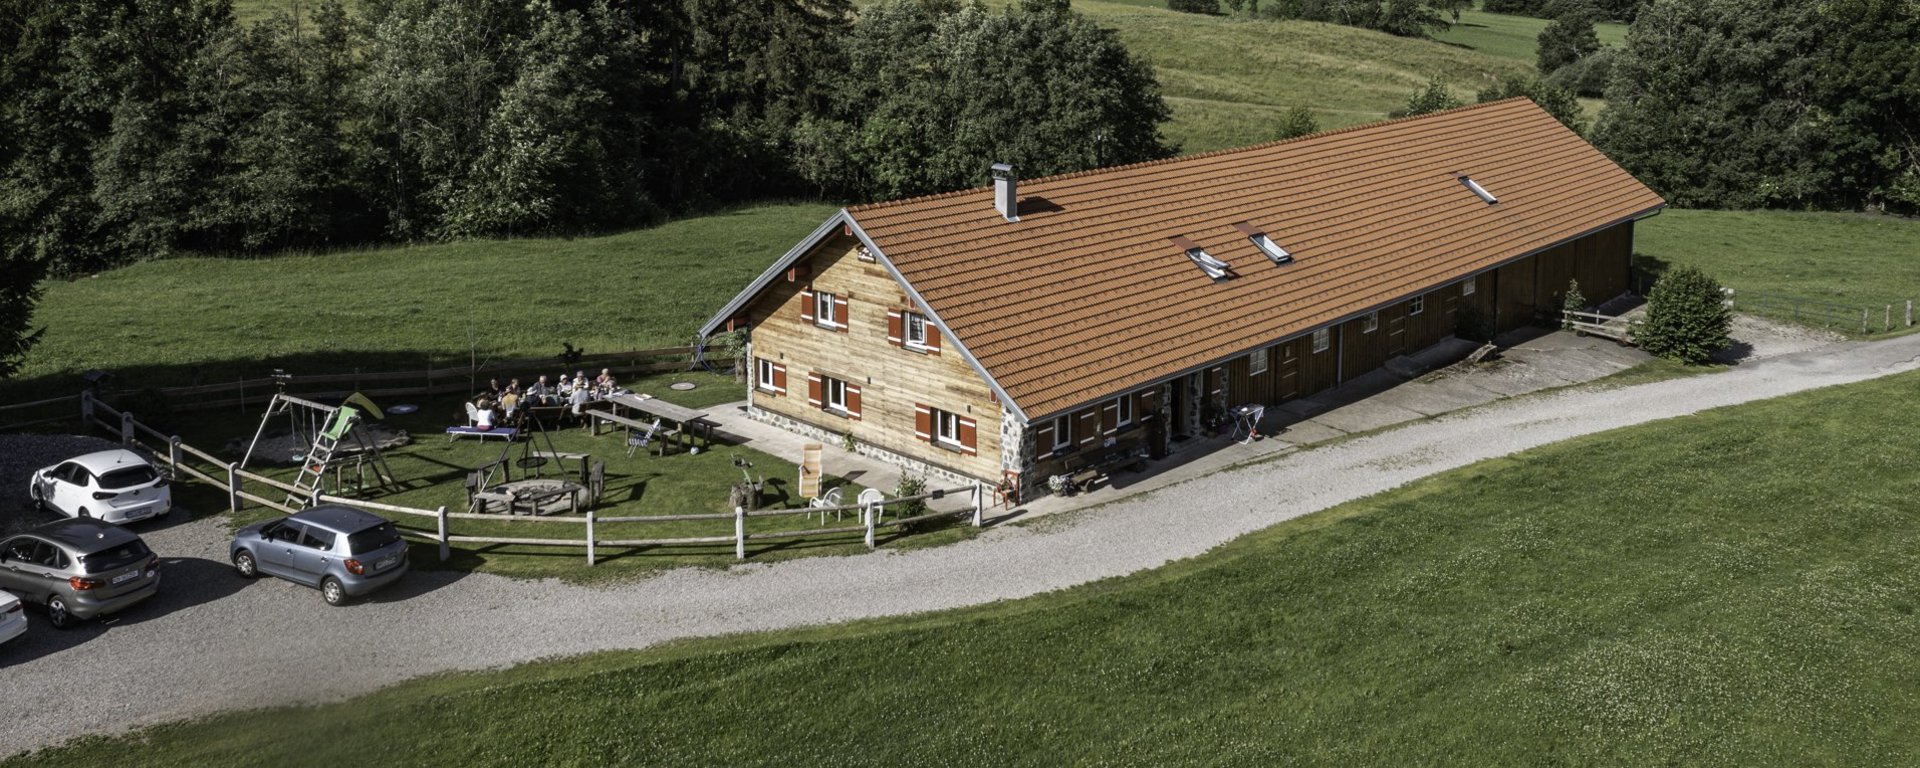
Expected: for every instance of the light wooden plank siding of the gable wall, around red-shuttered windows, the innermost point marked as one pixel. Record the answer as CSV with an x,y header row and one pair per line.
x,y
892,379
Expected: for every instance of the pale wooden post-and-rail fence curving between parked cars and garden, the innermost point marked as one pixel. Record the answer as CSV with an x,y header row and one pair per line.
x,y
235,481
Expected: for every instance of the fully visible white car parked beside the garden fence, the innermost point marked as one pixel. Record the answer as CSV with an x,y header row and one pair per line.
x,y
114,487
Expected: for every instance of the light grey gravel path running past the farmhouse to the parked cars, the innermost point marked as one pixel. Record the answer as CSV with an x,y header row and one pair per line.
x,y
212,642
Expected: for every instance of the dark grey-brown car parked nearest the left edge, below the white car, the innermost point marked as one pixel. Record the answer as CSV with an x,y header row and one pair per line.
x,y
80,569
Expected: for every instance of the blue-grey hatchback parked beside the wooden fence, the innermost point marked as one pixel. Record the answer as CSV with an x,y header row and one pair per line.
x,y
337,550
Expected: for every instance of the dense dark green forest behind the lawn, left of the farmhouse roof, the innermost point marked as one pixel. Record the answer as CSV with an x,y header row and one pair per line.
x,y
145,128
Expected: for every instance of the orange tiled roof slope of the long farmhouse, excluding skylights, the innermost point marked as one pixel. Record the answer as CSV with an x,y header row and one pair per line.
x,y
1086,297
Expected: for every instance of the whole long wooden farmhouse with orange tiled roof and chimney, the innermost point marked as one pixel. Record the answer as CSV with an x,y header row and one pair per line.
x,y
1017,331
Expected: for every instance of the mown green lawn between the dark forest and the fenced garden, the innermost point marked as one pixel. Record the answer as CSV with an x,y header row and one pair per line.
x,y
208,320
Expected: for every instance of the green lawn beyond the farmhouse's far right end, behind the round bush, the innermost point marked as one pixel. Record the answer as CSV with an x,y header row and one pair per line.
x,y
1831,266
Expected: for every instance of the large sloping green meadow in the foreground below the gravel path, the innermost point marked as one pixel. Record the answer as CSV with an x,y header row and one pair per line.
x,y
1733,588
